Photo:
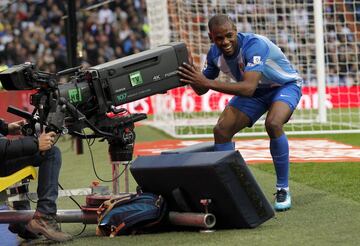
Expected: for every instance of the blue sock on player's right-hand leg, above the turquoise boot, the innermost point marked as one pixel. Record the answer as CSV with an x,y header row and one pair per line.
x,y
279,149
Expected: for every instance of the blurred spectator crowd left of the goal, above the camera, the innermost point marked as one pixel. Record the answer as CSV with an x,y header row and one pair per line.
x,y
35,31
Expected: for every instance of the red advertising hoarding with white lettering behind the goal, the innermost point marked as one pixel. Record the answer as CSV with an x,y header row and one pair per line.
x,y
185,100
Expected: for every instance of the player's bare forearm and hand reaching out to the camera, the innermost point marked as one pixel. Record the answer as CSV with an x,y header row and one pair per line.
x,y
245,88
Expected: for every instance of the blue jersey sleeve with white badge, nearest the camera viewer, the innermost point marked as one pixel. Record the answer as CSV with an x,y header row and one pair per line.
x,y
255,55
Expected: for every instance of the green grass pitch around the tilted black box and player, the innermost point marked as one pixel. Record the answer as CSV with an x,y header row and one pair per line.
x,y
326,202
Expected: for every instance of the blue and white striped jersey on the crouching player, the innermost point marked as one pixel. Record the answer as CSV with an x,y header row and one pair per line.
x,y
255,53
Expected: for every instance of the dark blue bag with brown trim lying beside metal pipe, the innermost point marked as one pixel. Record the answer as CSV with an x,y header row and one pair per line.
x,y
129,214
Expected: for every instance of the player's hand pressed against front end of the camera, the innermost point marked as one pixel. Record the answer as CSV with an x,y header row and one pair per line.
x,y
192,76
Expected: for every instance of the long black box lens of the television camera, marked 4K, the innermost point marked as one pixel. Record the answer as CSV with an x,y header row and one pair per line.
x,y
141,75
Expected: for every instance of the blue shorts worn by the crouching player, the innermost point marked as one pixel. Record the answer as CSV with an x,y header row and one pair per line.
x,y
254,107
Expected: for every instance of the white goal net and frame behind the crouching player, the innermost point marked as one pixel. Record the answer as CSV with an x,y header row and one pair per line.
x,y
320,38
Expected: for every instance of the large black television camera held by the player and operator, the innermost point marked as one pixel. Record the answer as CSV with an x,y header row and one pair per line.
x,y
93,94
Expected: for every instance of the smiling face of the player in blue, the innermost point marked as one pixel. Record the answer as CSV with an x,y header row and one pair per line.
x,y
225,38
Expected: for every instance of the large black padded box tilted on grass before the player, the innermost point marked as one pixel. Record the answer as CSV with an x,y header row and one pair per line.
x,y
186,178
